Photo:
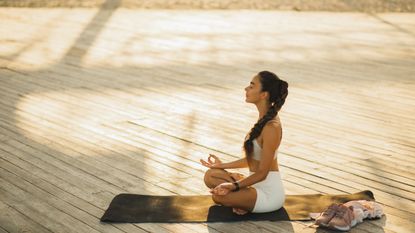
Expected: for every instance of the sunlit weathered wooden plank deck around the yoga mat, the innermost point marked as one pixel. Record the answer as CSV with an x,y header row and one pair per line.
x,y
98,102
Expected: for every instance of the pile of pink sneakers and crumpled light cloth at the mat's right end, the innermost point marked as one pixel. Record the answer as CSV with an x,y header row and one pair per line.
x,y
343,217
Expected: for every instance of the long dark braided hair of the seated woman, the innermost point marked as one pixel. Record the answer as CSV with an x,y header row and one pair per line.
x,y
278,91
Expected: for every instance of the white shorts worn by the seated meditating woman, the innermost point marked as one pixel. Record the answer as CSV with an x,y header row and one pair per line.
x,y
270,193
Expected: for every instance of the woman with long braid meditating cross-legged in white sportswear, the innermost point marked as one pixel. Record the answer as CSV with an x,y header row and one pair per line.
x,y
262,190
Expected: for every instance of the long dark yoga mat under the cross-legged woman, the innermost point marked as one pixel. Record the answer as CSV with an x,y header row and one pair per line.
x,y
134,208
